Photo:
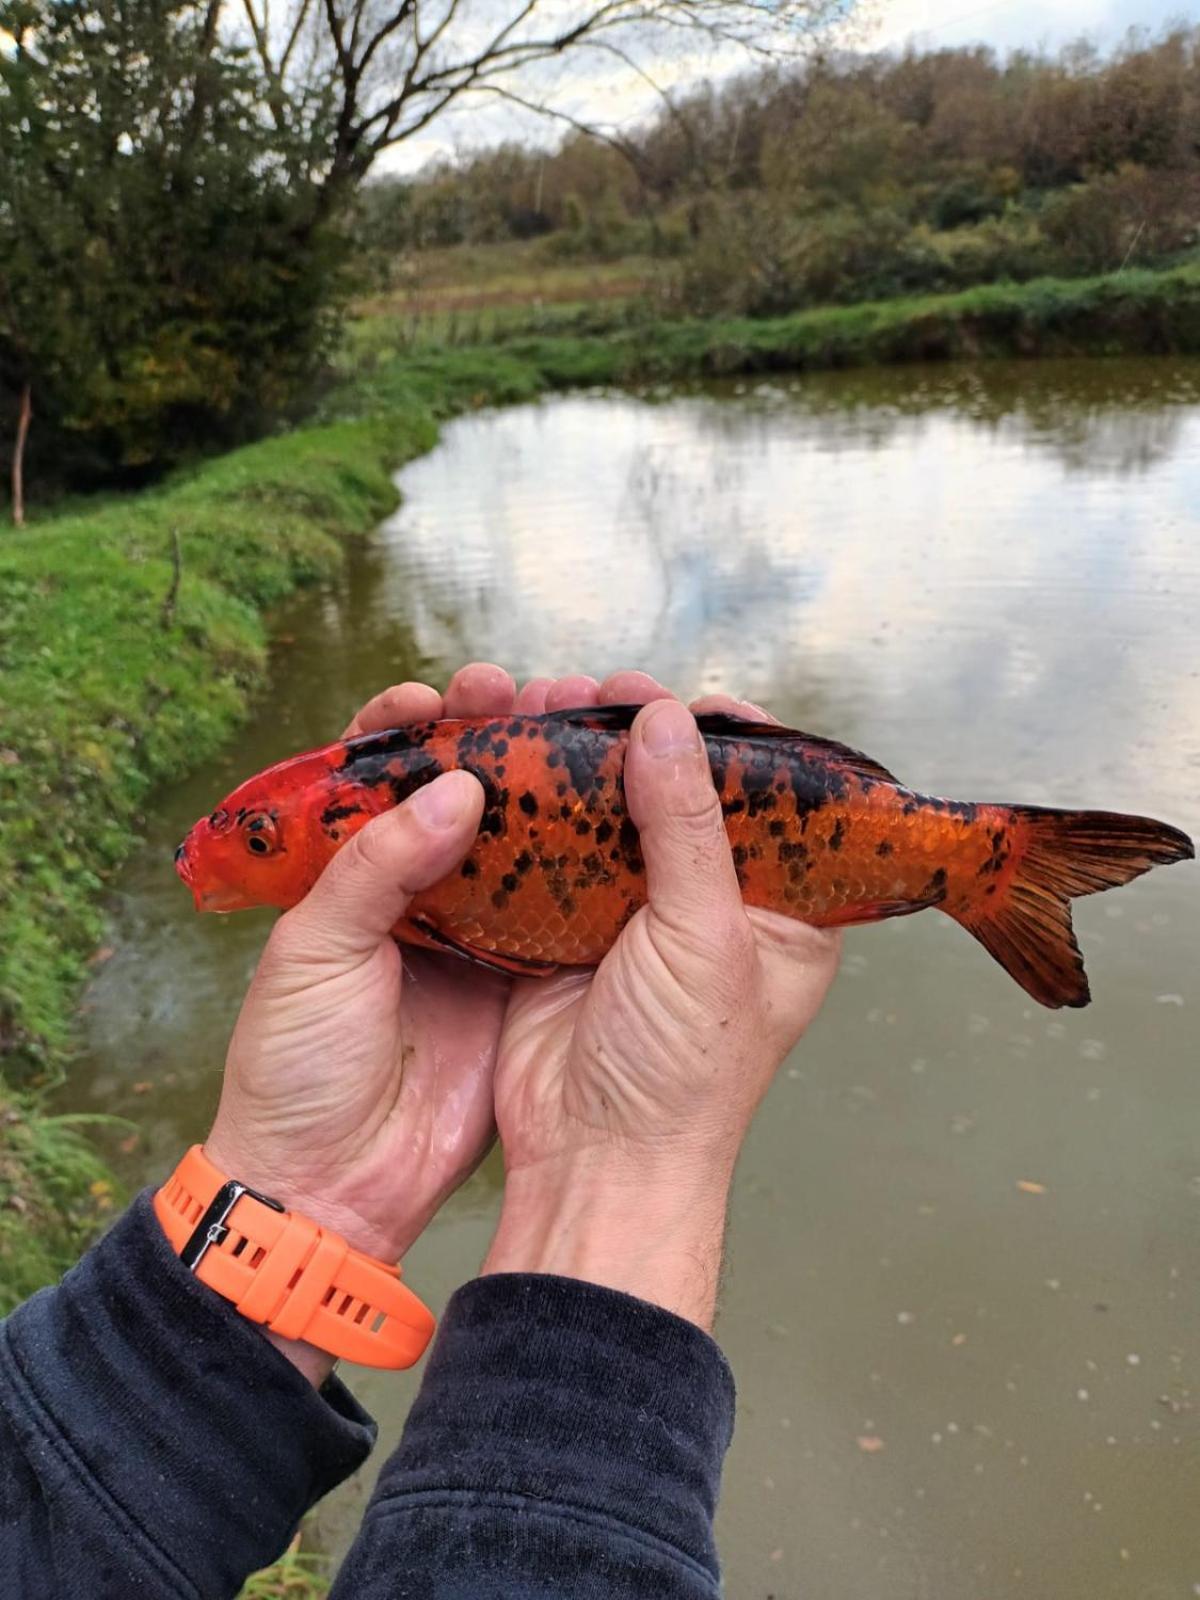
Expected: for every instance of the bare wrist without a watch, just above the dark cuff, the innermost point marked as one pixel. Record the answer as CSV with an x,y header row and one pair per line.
x,y
652,1226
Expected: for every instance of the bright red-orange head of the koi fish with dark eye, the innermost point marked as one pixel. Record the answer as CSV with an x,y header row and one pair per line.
x,y
257,847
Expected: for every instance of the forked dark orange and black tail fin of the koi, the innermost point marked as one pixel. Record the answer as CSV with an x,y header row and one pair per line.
x,y
1026,927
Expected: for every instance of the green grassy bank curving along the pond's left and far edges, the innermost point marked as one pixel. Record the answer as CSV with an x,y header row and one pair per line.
x,y
132,633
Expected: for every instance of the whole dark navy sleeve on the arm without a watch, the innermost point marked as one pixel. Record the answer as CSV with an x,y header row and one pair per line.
x,y
567,1442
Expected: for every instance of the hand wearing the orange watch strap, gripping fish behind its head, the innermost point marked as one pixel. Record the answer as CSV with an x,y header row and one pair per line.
x,y
359,1079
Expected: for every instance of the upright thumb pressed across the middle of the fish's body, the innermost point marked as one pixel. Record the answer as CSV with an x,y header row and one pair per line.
x,y
690,878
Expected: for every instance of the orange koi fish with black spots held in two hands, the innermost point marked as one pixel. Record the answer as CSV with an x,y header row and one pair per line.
x,y
818,831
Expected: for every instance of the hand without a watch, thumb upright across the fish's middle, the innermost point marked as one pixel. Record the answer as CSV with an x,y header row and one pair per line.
x,y
623,1097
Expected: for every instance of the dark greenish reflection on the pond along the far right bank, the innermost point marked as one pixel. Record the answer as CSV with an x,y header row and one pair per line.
x,y
1095,417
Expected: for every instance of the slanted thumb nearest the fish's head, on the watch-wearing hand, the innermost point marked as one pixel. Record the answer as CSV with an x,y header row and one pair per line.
x,y
367,887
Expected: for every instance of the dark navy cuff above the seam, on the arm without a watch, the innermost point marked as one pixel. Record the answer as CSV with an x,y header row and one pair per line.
x,y
569,1393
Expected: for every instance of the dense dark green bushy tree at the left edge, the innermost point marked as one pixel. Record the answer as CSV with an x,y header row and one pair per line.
x,y
162,287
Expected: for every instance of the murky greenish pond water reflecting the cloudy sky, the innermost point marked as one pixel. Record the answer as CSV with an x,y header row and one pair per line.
x,y
991,580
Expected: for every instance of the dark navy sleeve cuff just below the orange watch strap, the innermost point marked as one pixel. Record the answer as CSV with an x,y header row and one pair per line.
x,y
188,1425
